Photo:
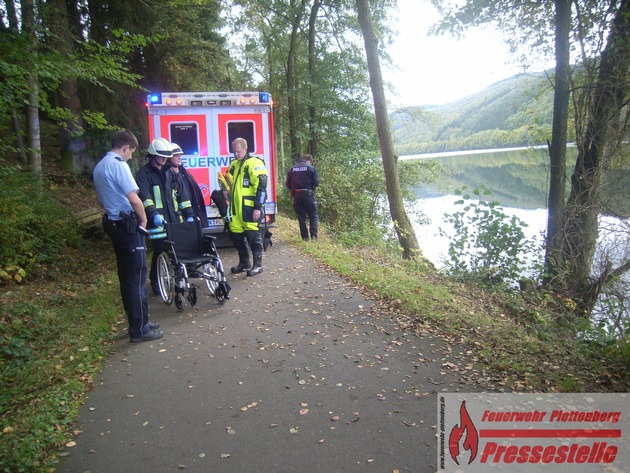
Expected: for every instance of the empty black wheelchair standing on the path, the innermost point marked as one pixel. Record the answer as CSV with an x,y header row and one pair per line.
x,y
188,254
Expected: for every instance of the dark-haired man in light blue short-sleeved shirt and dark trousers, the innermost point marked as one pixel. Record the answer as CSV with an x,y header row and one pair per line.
x,y
124,214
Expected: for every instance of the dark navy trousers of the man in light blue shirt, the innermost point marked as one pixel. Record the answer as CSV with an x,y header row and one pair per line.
x,y
131,261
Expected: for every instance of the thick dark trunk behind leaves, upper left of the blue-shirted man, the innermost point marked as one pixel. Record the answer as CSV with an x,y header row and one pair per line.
x,y
74,156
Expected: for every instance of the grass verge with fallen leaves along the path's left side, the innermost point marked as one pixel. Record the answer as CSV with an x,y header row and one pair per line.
x,y
55,333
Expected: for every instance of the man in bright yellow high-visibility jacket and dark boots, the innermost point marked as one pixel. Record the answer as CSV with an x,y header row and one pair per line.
x,y
247,198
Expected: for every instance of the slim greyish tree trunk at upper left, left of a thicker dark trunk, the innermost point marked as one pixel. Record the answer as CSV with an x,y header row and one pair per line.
x,y
32,109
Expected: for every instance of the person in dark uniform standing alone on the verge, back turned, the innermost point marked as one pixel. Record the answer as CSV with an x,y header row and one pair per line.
x,y
302,179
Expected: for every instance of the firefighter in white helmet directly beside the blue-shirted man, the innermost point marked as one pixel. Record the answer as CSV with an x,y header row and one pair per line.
x,y
163,203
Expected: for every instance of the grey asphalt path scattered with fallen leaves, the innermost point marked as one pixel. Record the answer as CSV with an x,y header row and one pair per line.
x,y
297,372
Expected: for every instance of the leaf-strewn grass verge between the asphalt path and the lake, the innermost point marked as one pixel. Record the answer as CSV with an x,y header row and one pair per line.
x,y
512,345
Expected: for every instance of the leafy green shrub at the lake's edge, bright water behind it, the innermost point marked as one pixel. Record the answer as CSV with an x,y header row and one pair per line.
x,y
487,245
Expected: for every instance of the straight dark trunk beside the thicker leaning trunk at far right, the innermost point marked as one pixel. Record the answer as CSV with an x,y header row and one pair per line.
x,y
558,146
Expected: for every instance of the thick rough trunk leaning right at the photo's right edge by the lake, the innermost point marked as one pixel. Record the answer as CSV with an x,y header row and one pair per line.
x,y
594,156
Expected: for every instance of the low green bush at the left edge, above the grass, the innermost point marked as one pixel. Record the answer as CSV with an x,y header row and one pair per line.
x,y
36,227
